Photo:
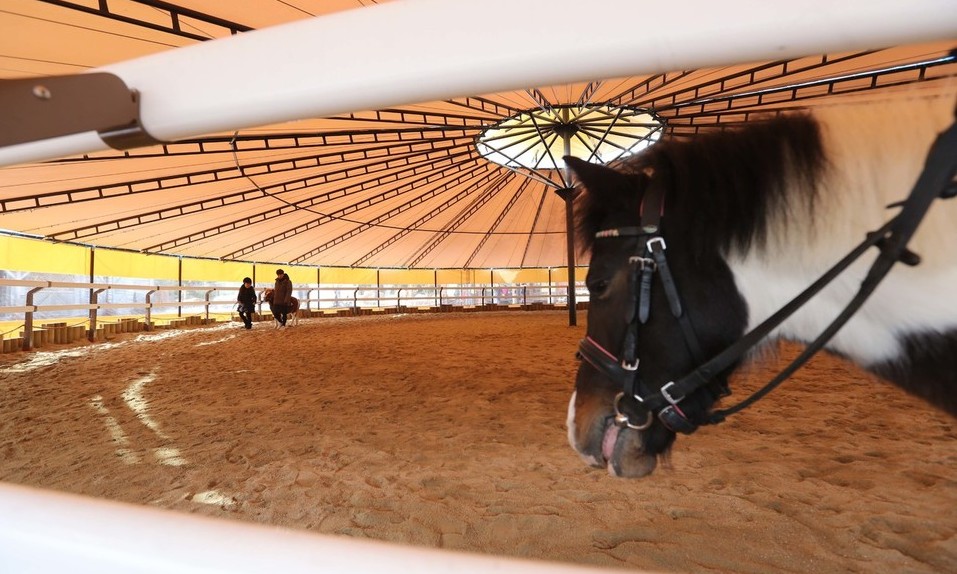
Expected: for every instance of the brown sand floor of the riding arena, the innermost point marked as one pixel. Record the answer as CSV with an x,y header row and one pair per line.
x,y
448,431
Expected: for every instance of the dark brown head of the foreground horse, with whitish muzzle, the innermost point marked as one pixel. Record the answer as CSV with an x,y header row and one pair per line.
x,y
647,325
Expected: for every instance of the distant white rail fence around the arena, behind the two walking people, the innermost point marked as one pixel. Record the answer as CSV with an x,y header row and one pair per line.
x,y
137,307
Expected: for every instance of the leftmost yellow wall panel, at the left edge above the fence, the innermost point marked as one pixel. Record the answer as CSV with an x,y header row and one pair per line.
x,y
36,255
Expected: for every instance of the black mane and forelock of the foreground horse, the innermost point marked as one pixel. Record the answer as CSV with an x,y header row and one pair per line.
x,y
723,188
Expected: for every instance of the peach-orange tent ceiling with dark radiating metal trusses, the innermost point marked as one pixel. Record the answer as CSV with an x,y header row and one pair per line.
x,y
401,187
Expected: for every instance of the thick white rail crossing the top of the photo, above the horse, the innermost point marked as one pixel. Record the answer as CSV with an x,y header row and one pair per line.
x,y
423,50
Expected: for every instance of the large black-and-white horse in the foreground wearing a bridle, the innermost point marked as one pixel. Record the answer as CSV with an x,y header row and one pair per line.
x,y
694,242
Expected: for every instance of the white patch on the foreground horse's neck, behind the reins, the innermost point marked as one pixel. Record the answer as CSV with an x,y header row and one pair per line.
x,y
876,153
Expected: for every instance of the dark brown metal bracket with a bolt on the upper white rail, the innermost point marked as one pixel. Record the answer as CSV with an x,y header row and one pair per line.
x,y
36,109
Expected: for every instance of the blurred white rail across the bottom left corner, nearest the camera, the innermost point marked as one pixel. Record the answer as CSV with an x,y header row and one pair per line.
x,y
45,531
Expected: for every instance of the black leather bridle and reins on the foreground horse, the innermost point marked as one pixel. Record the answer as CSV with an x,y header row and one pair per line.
x,y
936,181
